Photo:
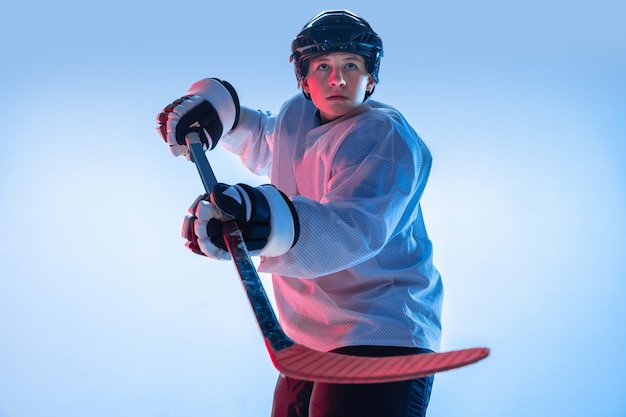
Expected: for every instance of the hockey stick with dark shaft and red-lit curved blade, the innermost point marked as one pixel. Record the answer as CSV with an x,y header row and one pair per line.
x,y
297,361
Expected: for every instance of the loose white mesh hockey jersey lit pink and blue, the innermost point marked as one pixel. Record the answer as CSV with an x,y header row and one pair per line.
x,y
361,272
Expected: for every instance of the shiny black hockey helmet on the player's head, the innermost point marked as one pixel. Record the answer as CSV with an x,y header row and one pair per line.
x,y
336,31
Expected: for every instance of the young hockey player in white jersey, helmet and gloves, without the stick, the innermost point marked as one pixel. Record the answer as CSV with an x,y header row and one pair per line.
x,y
340,229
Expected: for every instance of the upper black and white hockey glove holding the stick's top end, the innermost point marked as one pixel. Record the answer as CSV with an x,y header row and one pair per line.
x,y
210,108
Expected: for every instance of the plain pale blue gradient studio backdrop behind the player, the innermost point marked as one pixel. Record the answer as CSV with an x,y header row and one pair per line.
x,y
103,312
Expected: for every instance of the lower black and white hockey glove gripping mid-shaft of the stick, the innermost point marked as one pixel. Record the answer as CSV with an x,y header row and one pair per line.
x,y
266,217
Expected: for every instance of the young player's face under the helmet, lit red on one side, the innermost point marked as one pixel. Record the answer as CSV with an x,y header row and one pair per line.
x,y
337,83
